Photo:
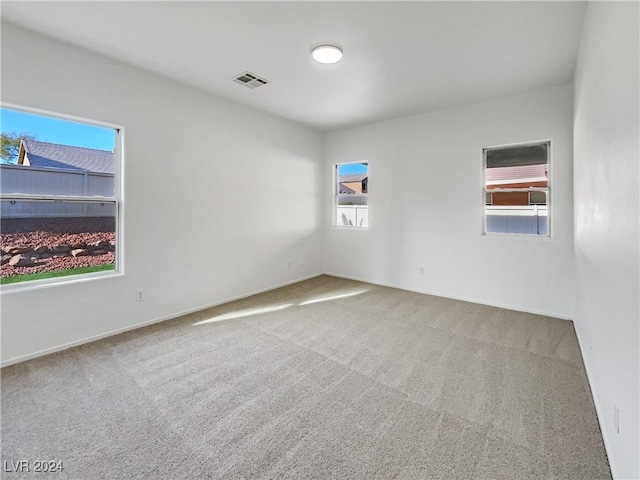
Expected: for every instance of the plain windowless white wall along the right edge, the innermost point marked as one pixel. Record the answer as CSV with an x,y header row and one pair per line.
x,y
606,222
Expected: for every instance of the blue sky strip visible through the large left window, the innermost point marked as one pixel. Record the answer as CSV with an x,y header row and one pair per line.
x,y
55,130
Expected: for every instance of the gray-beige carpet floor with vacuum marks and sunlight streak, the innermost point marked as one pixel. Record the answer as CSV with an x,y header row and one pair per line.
x,y
326,378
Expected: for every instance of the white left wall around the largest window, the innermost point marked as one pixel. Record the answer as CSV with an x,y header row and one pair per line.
x,y
193,236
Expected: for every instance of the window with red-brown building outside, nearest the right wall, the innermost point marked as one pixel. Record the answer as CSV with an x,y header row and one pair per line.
x,y
517,189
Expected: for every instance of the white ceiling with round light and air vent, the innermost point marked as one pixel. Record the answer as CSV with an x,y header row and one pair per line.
x,y
400,58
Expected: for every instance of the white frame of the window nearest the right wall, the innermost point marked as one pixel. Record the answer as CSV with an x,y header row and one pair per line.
x,y
546,189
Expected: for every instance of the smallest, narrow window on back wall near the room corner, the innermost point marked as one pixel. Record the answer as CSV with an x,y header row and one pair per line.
x,y
351,194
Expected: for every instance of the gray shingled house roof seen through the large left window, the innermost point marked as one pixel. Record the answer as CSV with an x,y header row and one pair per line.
x,y
52,155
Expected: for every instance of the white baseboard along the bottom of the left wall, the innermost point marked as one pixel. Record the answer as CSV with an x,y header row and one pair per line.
x,y
128,328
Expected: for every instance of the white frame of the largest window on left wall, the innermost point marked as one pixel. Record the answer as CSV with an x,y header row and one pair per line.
x,y
116,201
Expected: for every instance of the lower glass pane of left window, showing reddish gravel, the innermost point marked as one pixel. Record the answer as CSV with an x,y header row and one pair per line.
x,y
47,239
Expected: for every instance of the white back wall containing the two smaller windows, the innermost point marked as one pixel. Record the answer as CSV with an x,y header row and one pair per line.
x,y
426,205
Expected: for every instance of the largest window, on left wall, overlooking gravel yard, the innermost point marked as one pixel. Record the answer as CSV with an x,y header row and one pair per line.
x,y
59,193
